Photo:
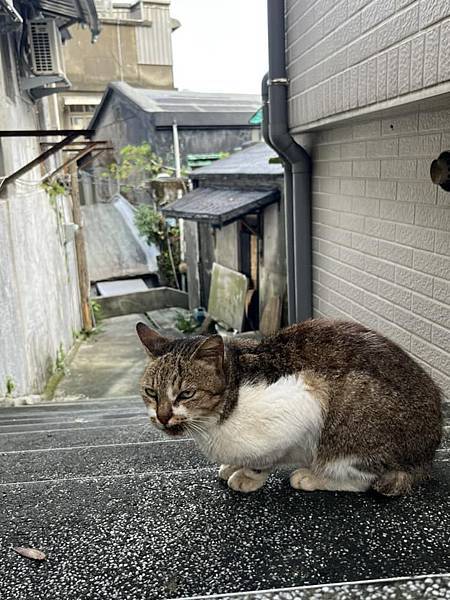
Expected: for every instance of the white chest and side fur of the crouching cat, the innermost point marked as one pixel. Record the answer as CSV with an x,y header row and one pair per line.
x,y
271,424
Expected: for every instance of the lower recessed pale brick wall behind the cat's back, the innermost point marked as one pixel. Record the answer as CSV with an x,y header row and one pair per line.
x,y
381,232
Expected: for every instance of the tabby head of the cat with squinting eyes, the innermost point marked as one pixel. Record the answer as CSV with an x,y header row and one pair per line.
x,y
184,383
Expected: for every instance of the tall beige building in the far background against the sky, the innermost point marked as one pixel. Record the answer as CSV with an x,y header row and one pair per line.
x,y
135,46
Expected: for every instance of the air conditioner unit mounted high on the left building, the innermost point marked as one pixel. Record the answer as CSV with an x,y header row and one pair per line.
x,y
45,48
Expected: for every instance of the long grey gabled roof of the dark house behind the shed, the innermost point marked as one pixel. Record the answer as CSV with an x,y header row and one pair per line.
x,y
190,109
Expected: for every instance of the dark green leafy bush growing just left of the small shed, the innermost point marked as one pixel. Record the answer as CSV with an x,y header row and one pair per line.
x,y
152,225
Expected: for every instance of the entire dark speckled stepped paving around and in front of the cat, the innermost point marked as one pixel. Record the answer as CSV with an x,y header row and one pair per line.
x,y
123,512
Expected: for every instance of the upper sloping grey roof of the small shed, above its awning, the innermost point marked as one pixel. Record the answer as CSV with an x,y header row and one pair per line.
x,y
253,160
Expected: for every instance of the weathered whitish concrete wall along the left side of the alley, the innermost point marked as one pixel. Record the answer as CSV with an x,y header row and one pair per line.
x,y
39,298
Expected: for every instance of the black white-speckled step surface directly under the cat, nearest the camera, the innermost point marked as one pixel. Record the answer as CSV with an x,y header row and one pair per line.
x,y
173,534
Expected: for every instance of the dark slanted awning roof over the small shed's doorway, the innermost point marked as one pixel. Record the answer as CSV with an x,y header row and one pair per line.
x,y
219,206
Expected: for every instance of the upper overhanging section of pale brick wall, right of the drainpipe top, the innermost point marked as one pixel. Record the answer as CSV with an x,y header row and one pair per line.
x,y
346,55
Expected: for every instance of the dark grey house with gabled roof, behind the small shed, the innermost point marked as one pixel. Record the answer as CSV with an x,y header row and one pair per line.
x,y
206,124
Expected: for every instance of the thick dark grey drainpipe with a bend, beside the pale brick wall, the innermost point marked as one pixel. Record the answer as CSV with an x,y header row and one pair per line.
x,y
297,172
